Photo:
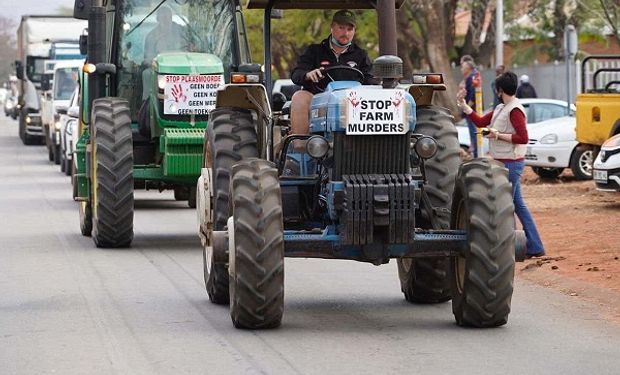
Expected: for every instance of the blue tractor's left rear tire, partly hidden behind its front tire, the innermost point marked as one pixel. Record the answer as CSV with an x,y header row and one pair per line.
x,y
230,138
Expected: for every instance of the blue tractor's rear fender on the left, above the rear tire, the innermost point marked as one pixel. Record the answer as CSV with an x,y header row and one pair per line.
x,y
246,96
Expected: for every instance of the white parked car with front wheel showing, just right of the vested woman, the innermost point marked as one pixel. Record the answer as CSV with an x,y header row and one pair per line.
x,y
552,148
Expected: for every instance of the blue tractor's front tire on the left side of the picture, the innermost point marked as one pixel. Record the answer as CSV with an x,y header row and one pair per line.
x,y
257,253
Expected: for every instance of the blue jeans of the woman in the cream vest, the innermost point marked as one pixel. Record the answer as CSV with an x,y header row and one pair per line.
x,y
534,243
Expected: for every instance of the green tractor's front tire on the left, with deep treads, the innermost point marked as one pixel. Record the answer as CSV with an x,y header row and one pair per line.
x,y
112,173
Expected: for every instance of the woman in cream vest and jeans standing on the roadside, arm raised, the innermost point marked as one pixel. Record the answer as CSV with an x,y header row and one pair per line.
x,y
507,144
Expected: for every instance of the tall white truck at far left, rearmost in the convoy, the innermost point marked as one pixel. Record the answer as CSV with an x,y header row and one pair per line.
x,y
36,39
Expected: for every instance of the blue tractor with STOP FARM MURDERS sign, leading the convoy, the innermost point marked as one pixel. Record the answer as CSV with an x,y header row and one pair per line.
x,y
379,177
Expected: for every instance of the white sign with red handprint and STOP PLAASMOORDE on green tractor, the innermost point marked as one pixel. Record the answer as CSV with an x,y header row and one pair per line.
x,y
191,94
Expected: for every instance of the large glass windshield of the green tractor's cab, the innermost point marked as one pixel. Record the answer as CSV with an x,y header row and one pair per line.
x,y
151,27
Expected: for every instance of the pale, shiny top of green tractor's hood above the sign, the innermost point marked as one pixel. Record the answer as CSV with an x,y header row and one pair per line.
x,y
188,63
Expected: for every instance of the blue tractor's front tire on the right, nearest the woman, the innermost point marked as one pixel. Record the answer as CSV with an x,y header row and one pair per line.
x,y
482,277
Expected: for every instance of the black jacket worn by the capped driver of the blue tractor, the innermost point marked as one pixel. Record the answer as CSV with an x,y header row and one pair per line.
x,y
321,56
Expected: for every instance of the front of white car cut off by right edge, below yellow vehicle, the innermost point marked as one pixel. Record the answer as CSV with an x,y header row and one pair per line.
x,y
607,165
